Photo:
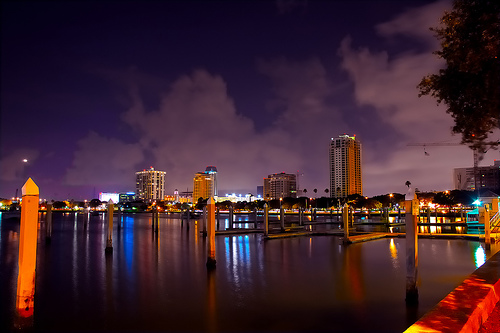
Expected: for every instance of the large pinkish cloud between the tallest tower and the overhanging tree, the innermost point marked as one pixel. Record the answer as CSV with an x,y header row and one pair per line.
x,y
386,83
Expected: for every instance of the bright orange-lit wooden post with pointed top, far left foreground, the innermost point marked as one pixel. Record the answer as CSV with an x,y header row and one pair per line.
x,y
27,255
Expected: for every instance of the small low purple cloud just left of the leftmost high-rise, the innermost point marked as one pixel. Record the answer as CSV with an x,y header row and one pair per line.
x,y
107,162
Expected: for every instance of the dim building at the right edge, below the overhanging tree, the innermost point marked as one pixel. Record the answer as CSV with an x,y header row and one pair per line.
x,y
488,178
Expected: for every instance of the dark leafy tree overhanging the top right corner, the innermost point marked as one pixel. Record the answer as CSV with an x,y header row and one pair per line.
x,y
470,83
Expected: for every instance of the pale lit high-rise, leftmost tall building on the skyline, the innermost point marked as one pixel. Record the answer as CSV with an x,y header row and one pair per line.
x,y
150,184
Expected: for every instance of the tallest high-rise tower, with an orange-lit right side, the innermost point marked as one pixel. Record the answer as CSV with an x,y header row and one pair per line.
x,y
345,166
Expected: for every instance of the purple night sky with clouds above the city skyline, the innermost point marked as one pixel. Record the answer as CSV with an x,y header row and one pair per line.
x,y
93,91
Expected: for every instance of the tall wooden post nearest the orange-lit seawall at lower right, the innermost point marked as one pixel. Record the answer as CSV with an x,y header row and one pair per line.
x,y
412,211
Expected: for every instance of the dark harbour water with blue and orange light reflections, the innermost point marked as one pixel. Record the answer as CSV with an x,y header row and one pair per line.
x,y
160,282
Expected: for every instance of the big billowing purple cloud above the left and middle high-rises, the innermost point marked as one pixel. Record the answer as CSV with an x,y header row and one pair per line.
x,y
196,124
